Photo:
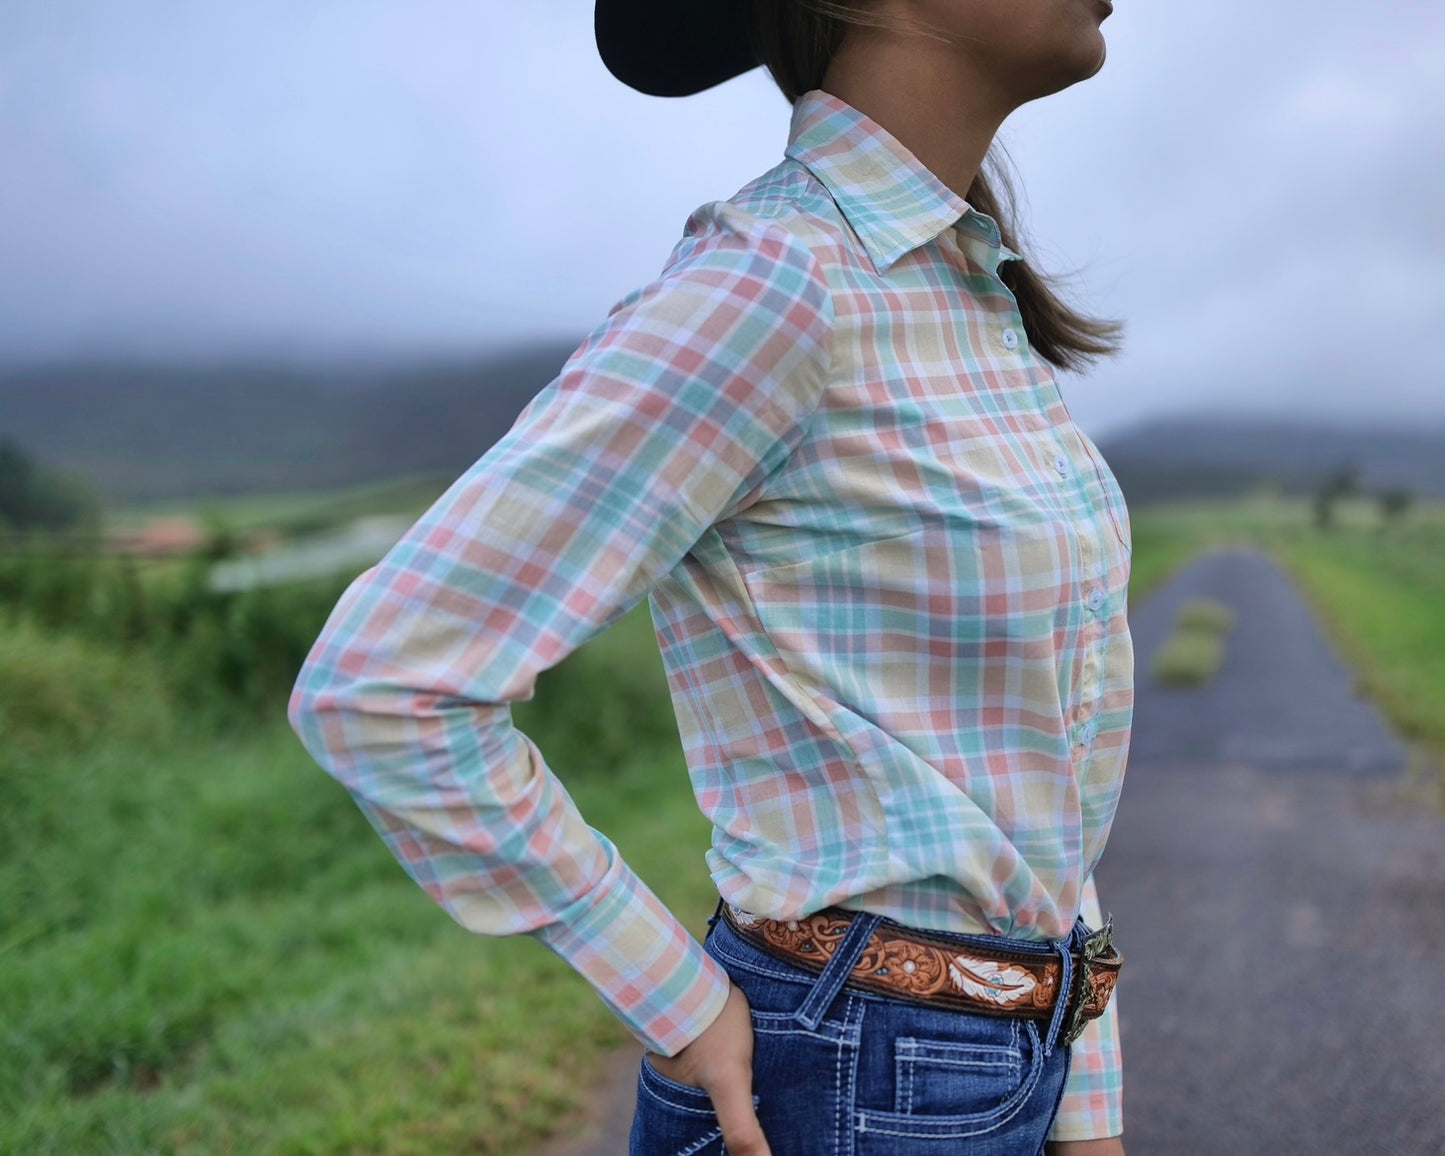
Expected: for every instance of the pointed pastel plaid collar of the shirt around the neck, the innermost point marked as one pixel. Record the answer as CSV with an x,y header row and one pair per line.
x,y
885,193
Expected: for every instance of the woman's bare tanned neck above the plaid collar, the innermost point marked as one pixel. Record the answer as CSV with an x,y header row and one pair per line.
x,y
915,89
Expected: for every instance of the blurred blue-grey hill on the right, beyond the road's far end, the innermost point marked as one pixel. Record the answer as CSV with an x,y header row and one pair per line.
x,y
1187,456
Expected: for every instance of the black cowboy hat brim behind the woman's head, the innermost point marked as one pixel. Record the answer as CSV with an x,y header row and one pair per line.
x,y
674,48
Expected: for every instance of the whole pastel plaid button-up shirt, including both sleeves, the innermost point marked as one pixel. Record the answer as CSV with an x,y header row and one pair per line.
x,y
887,570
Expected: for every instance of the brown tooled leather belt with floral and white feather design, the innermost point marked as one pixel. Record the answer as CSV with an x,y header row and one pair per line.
x,y
915,966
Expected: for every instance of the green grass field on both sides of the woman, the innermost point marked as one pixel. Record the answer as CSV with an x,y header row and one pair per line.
x,y
204,949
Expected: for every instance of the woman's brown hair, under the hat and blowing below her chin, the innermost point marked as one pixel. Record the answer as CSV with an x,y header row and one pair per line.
x,y
797,40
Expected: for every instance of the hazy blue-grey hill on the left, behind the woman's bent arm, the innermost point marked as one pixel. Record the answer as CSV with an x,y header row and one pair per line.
x,y
151,433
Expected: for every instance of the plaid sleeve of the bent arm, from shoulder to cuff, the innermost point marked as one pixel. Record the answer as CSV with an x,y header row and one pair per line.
x,y
668,418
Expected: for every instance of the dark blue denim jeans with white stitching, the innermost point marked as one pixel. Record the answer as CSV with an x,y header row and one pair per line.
x,y
847,1073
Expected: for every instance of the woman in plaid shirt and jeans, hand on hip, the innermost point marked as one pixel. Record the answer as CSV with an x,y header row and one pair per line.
x,y
889,580
